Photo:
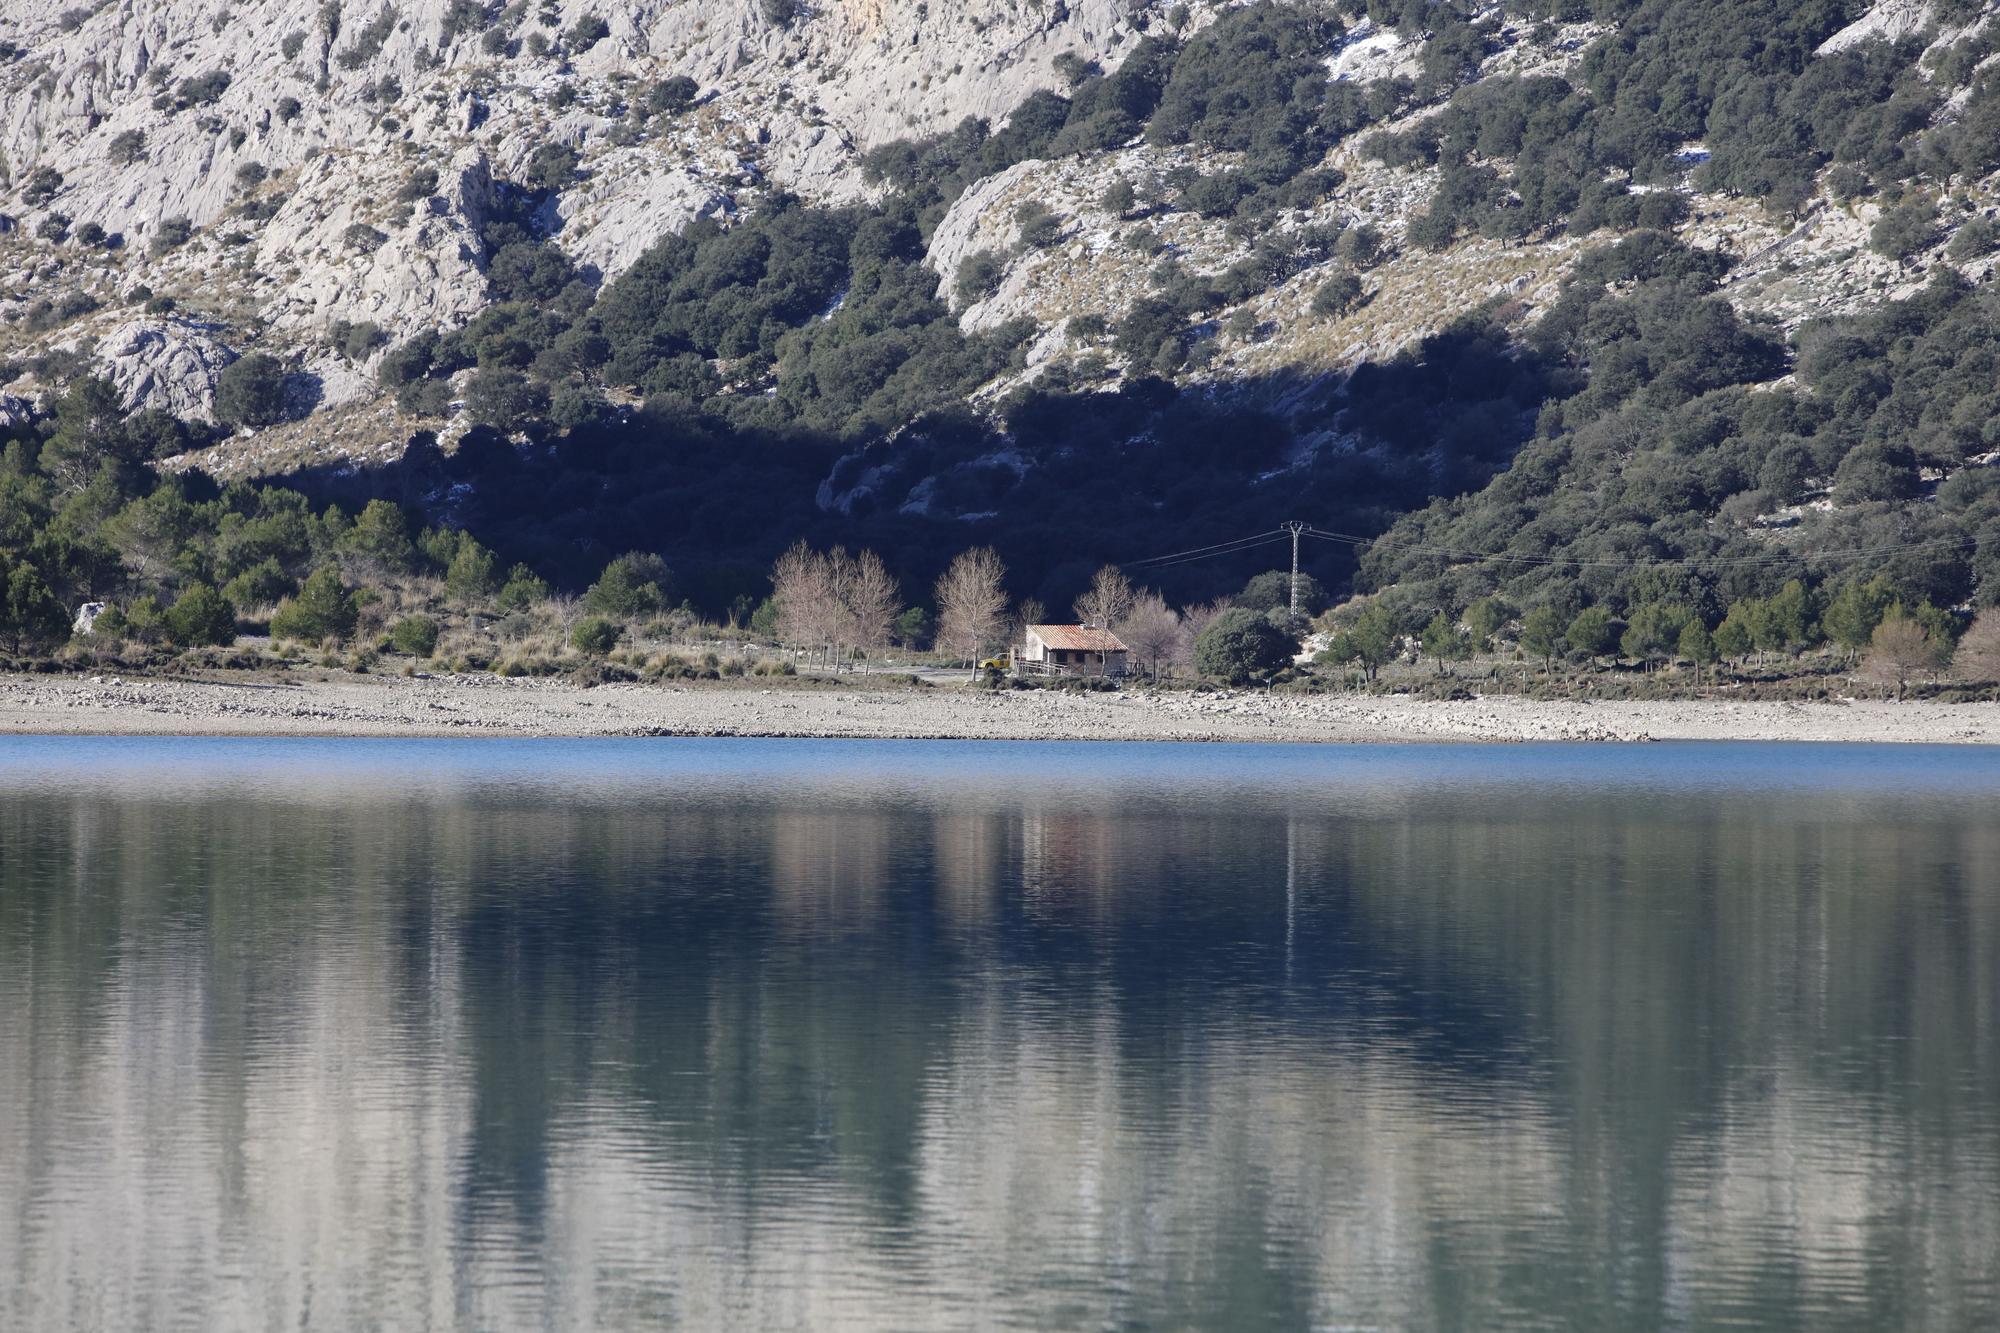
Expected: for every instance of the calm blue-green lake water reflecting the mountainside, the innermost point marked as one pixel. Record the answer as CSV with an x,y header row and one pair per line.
x,y
923,1036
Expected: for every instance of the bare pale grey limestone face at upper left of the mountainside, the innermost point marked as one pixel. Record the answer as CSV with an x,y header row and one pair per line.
x,y
283,133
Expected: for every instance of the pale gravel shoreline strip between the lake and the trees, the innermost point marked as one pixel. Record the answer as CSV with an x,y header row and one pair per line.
x,y
497,708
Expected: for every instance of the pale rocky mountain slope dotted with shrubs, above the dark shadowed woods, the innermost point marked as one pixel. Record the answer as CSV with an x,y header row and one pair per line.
x,y
321,181
